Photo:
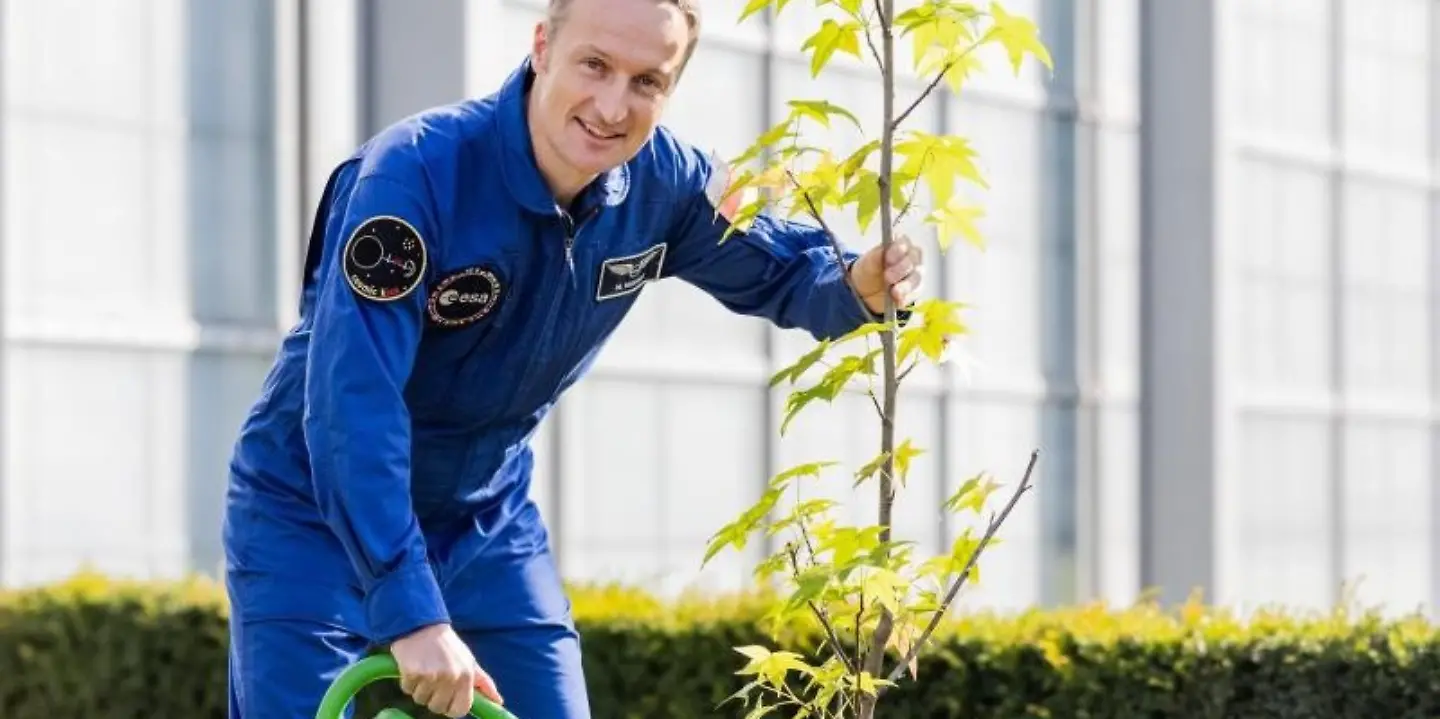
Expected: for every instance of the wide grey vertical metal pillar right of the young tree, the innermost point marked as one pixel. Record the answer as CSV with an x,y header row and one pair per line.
x,y
1180,279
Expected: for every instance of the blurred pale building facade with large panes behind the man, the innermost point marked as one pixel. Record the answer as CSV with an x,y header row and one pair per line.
x,y
1216,323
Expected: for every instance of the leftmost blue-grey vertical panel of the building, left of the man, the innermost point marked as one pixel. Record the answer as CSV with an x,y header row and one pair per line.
x,y
221,381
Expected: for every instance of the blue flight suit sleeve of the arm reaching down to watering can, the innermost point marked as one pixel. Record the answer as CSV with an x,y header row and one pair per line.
x,y
379,243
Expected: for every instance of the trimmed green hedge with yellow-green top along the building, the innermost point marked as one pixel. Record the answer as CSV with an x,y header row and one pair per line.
x,y
96,648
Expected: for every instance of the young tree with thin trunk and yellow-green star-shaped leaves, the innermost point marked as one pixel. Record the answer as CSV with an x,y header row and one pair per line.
x,y
860,584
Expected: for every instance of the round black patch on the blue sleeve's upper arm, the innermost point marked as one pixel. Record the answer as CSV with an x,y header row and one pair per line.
x,y
385,260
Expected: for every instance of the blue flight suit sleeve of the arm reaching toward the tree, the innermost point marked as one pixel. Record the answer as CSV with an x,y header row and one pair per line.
x,y
780,270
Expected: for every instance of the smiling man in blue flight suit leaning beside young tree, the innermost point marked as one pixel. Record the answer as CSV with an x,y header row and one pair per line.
x,y
466,267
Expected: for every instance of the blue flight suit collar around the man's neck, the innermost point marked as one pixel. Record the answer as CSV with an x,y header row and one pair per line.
x,y
521,169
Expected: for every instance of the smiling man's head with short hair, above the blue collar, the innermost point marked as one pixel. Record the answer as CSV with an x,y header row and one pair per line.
x,y
603,80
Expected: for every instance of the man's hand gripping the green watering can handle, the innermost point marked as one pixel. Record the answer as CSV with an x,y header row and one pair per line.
x,y
438,672
